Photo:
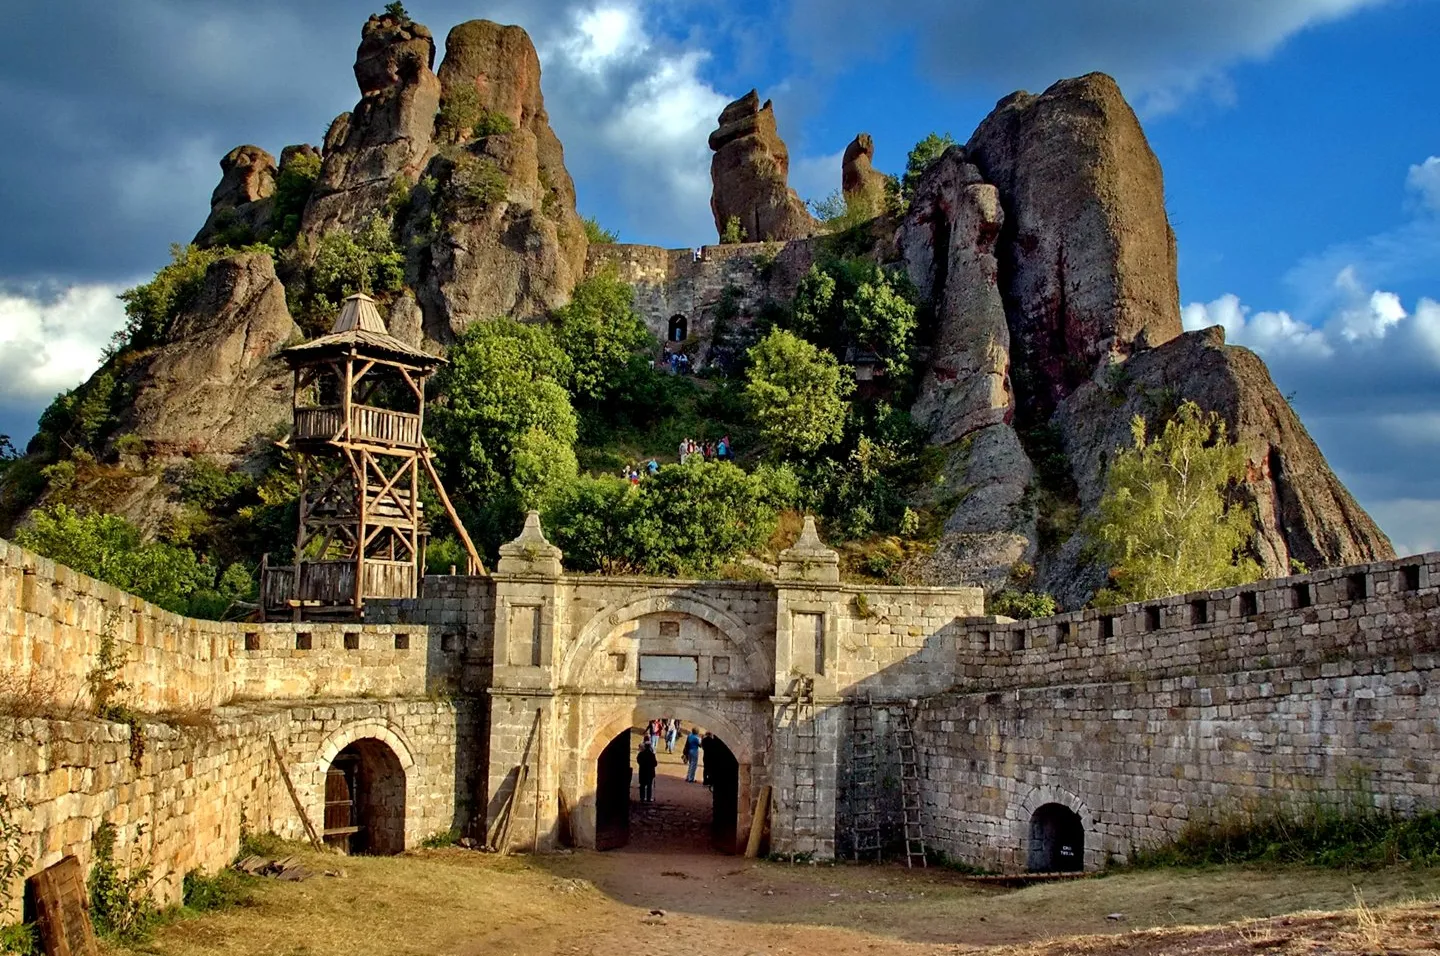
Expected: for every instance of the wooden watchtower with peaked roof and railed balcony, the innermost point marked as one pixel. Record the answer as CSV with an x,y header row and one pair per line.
x,y
359,443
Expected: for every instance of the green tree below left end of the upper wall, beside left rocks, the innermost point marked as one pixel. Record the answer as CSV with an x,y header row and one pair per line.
x,y
606,341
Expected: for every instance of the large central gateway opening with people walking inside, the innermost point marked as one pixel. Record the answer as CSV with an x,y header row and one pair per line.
x,y
678,814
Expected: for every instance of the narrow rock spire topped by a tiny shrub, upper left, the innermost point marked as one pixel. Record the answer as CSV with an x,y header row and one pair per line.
x,y
390,133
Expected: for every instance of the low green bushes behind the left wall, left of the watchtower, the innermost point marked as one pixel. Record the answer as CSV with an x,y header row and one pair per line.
x,y
112,549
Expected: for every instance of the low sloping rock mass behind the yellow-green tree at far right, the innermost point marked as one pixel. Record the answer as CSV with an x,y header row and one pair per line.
x,y
1304,510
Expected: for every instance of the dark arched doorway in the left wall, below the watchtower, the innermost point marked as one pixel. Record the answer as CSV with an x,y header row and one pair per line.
x,y
365,800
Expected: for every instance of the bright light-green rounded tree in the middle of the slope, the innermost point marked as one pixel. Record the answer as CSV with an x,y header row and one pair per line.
x,y
797,395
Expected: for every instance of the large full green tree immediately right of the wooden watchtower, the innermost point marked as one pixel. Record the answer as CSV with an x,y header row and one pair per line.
x,y
505,427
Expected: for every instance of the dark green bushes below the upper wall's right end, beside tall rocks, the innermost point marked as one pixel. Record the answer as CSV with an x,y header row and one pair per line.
x,y
855,303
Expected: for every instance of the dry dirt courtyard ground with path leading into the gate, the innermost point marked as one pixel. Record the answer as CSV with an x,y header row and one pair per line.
x,y
667,896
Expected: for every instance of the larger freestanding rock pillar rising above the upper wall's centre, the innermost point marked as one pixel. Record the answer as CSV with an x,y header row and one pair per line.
x,y
750,175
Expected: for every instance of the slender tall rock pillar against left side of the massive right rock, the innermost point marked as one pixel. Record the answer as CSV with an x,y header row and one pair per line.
x,y
948,244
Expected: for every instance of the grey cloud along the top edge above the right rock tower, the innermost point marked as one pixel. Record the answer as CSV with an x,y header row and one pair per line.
x,y
1161,51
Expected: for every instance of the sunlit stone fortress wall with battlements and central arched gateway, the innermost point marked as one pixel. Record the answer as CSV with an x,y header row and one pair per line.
x,y
1133,719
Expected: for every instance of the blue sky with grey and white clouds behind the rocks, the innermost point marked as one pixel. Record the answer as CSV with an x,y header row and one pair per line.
x,y
1300,139
